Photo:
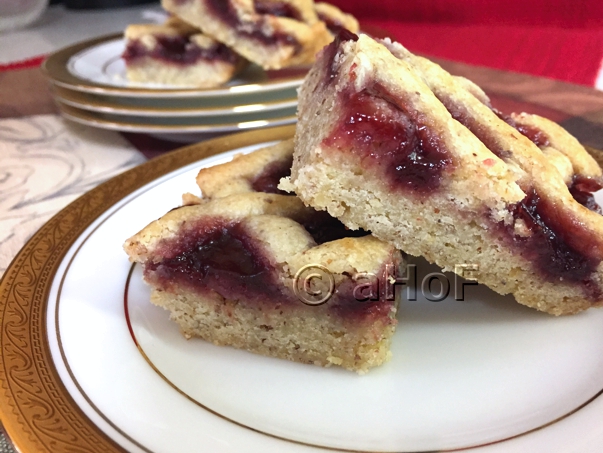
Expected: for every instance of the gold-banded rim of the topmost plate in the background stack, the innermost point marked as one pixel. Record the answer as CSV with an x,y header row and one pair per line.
x,y
55,68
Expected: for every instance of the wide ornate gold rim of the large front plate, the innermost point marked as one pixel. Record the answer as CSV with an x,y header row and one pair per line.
x,y
43,417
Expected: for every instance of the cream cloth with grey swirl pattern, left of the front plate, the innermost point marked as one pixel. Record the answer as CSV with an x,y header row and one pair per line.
x,y
45,163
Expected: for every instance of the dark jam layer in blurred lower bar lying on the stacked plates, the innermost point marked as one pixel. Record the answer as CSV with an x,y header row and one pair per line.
x,y
179,50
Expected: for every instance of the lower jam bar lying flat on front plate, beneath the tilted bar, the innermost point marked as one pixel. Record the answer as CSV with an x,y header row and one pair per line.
x,y
284,235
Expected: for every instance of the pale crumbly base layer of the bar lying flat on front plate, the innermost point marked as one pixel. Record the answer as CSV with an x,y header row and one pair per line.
x,y
286,332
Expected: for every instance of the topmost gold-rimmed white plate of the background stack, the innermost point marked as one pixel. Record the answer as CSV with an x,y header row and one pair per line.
x,y
96,66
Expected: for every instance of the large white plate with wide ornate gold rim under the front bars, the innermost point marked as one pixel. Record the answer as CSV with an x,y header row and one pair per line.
x,y
87,360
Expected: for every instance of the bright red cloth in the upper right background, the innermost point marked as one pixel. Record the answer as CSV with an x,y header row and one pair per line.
x,y
560,39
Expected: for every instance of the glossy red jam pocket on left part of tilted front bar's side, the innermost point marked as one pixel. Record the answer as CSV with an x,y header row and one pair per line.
x,y
387,136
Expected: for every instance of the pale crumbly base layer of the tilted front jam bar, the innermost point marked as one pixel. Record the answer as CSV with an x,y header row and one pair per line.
x,y
436,228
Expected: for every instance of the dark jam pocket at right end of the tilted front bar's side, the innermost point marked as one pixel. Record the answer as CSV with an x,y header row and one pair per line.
x,y
561,248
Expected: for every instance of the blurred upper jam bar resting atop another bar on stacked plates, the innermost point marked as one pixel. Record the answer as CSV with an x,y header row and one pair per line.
x,y
272,41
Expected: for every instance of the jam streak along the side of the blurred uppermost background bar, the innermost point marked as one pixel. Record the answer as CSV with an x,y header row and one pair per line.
x,y
262,32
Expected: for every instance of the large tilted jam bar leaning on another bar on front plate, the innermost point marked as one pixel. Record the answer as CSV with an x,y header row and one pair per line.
x,y
488,196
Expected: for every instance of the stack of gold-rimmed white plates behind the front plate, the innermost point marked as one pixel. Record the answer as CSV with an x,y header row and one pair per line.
x,y
90,87
